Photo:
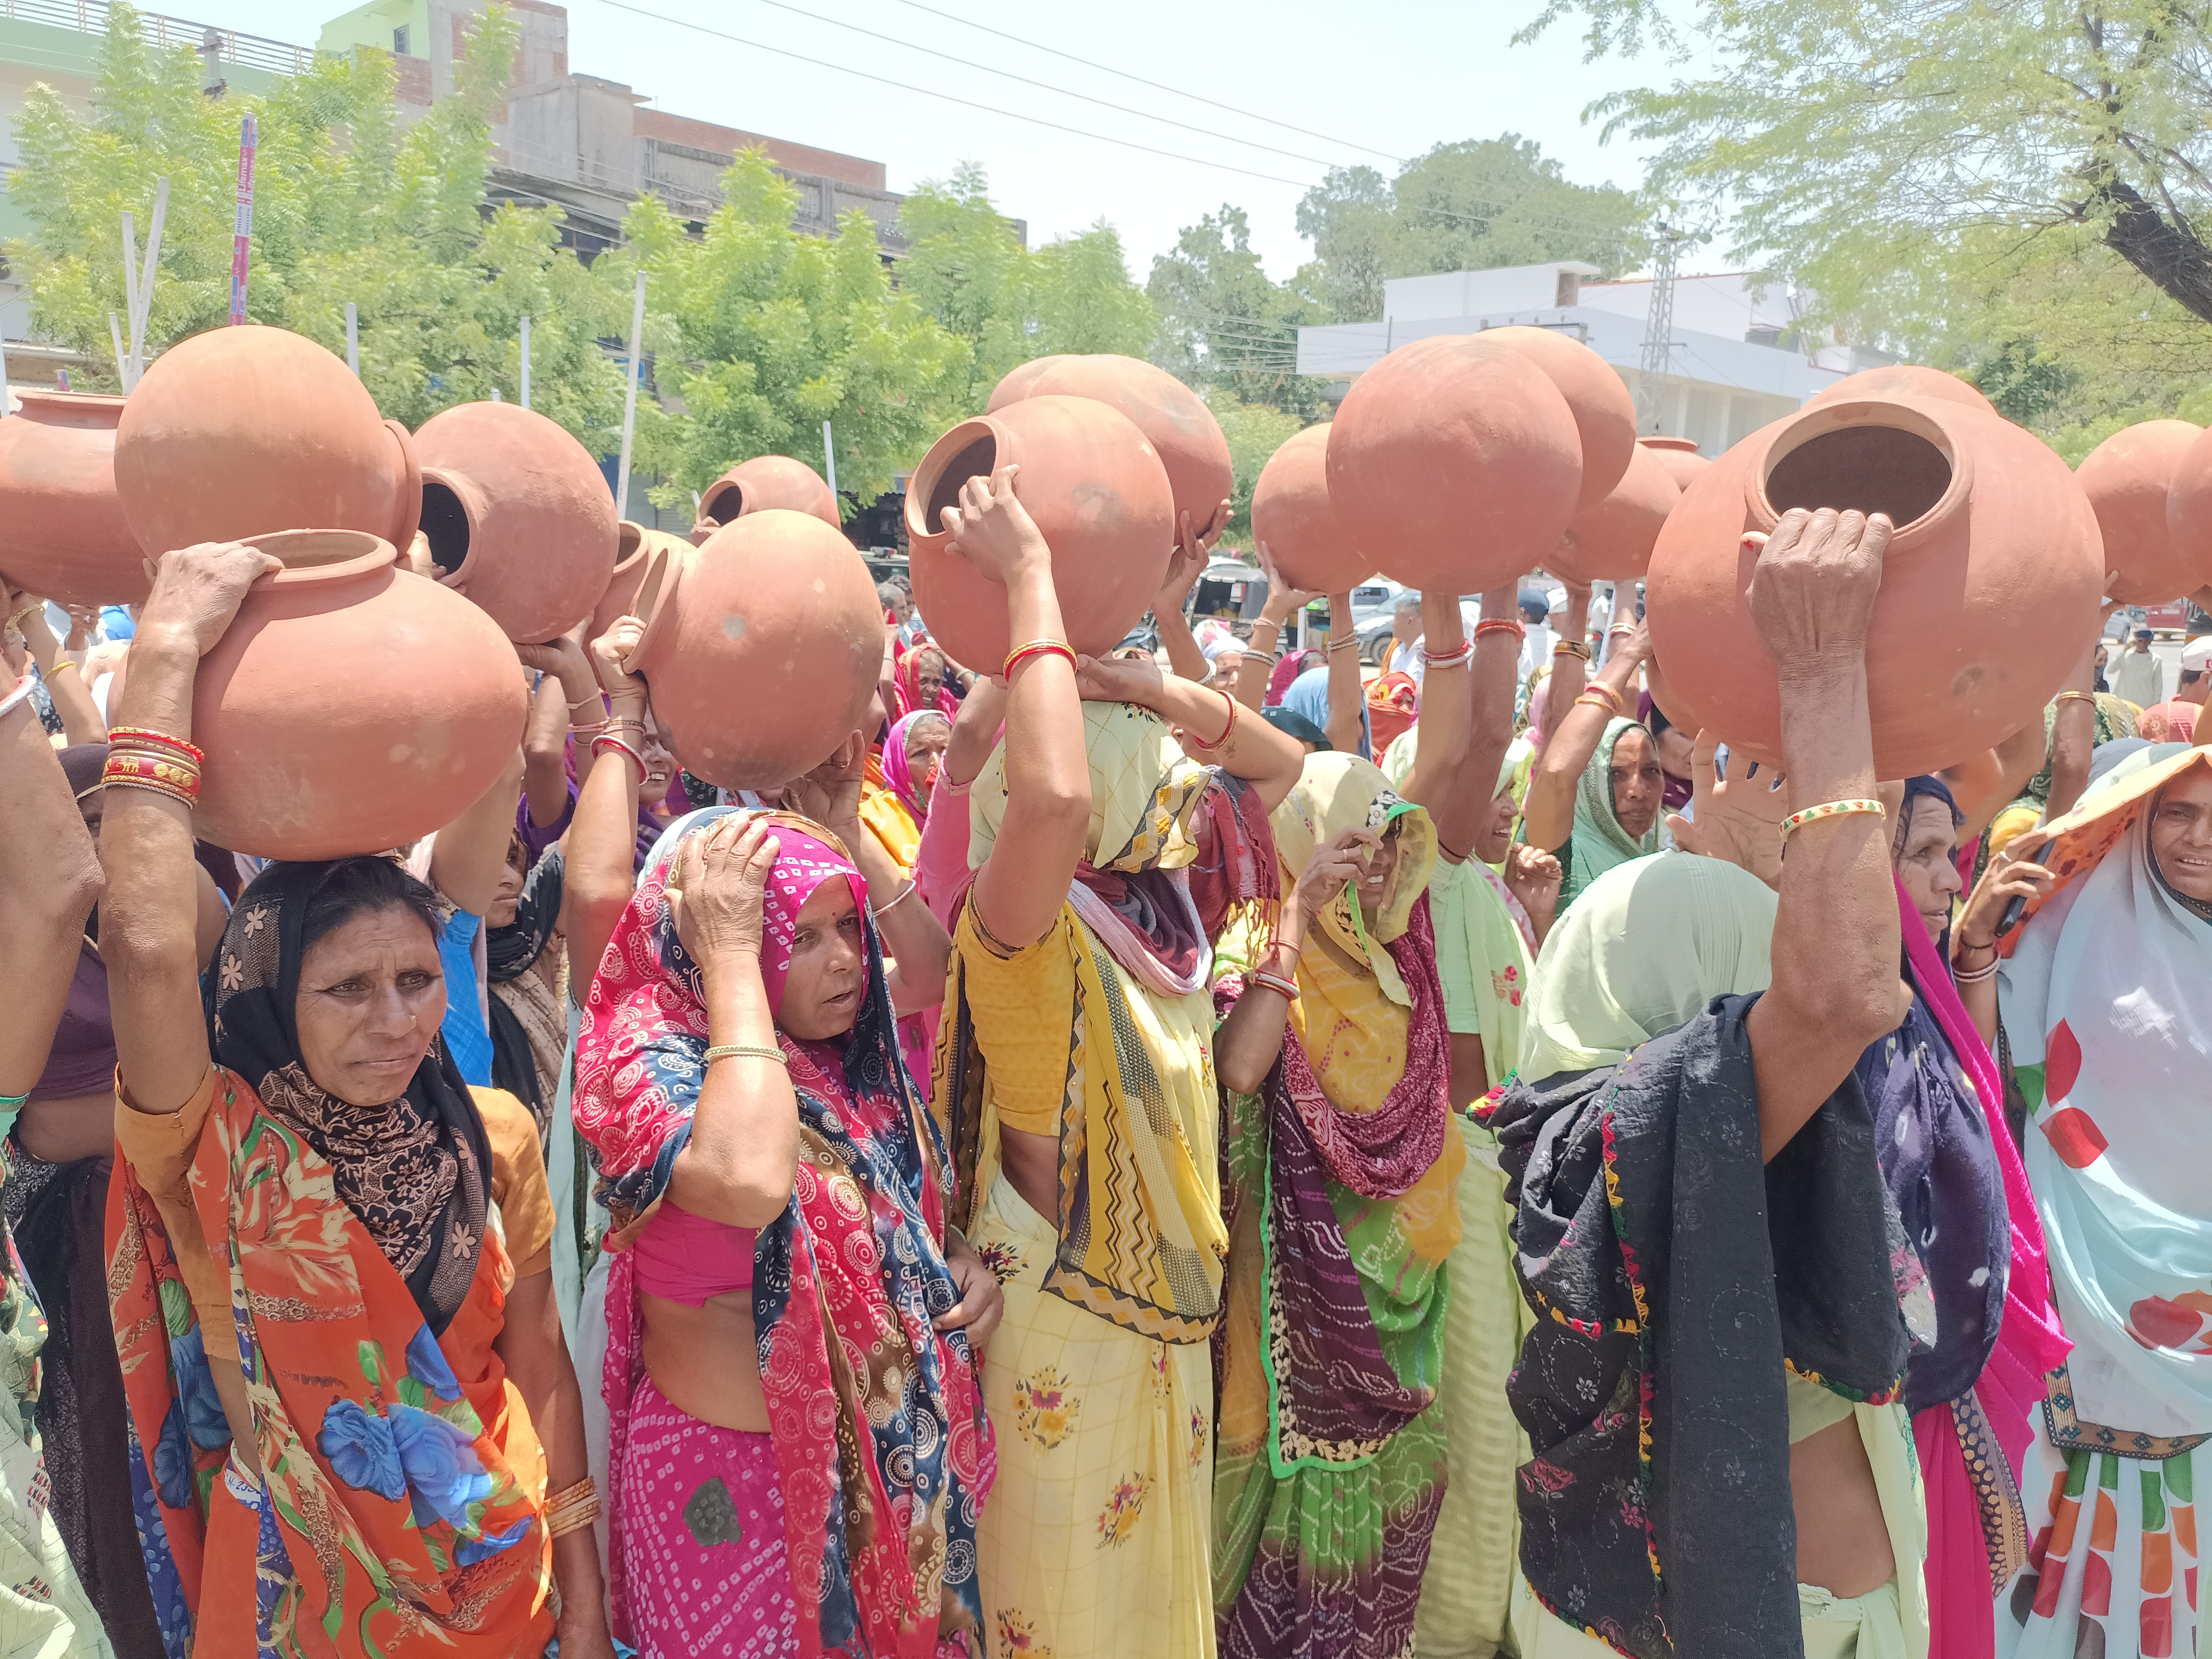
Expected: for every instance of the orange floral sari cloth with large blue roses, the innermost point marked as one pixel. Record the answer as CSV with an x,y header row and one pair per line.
x,y
395,1521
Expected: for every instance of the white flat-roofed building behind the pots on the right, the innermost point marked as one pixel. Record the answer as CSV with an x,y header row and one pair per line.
x,y
1729,371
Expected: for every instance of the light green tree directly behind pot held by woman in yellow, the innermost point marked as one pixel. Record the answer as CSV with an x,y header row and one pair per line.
x,y
1008,302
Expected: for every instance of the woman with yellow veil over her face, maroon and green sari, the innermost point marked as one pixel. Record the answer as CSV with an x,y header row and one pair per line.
x,y
1344,1178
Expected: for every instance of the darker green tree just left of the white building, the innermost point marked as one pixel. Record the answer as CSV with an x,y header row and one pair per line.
x,y
1227,326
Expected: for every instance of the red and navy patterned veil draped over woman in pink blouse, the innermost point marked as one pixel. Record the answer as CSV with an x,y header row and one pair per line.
x,y
884,1452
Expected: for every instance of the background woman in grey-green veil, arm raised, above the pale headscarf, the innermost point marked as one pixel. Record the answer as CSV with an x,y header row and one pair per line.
x,y
1596,791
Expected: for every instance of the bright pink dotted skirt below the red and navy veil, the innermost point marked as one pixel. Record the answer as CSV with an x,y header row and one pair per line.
x,y
702,1538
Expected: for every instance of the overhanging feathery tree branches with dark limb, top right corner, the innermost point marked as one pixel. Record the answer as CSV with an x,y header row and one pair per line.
x,y
2012,191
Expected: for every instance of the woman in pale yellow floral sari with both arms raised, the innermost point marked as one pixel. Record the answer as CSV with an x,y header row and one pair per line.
x,y
1112,842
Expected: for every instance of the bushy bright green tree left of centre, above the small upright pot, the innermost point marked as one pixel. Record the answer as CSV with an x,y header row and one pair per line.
x,y
760,335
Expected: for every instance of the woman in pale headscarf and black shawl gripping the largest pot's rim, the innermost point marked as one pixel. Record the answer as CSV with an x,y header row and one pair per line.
x,y
1687,1136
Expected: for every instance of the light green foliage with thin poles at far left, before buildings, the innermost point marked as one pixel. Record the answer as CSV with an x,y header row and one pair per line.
x,y
346,209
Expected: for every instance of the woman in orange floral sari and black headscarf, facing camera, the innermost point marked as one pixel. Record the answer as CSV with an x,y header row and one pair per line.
x,y
401,1459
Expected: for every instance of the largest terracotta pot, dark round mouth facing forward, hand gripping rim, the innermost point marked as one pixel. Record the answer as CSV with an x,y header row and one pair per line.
x,y
1990,587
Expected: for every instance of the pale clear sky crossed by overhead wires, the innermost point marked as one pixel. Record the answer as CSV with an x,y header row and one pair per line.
x,y
1395,76
